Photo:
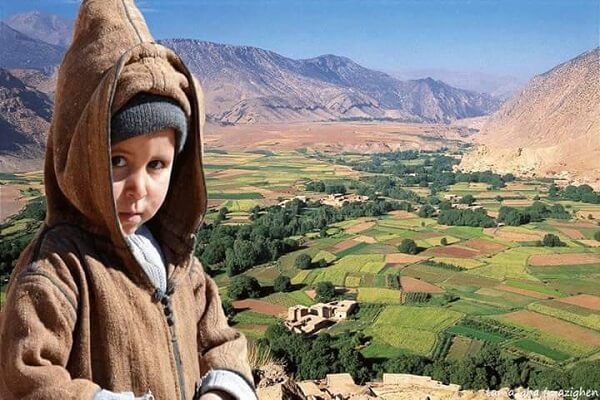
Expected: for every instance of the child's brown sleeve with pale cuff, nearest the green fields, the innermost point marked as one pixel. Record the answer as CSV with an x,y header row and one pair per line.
x,y
222,350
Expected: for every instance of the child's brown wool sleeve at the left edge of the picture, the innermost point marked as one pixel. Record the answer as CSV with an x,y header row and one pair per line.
x,y
36,335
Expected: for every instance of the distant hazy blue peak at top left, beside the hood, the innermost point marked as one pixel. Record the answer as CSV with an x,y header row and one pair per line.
x,y
48,28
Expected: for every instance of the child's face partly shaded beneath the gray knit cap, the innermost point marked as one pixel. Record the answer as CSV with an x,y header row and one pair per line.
x,y
141,168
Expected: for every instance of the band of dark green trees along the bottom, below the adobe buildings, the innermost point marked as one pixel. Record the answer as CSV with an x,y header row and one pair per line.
x,y
490,368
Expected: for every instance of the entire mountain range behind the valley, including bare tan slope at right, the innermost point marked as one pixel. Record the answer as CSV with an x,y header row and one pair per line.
x,y
550,127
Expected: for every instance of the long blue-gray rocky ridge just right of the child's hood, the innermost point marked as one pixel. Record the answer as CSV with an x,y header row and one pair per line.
x,y
246,84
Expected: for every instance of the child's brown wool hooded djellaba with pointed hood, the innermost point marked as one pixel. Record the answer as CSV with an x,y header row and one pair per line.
x,y
81,315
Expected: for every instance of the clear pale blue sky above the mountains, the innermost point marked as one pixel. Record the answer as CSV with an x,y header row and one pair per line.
x,y
507,37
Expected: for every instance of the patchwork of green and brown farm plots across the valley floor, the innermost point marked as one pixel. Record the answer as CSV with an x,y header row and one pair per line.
x,y
473,285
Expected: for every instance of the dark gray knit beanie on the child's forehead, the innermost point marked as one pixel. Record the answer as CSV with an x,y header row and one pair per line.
x,y
146,113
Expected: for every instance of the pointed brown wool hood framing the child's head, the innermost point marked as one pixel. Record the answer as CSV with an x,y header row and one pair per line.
x,y
111,59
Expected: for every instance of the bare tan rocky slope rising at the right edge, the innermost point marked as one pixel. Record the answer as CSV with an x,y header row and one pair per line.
x,y
551,128
